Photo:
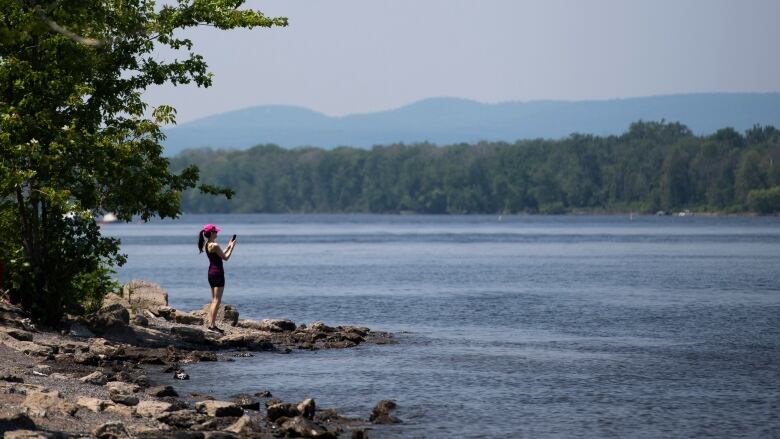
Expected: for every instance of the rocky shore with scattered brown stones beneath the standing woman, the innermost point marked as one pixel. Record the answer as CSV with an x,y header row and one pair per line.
x,y
88,378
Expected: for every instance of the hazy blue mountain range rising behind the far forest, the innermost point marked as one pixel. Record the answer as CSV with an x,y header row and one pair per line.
x,y
453,120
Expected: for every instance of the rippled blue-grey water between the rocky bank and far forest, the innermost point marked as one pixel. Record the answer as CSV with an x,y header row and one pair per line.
x,y
528,326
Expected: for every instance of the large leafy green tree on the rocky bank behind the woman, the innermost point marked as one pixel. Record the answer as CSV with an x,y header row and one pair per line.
x,y
75,138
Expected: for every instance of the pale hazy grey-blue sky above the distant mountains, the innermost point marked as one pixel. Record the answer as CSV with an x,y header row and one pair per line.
x,y
352,56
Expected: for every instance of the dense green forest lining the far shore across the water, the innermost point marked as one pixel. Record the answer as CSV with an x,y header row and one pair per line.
x,y
654,166
